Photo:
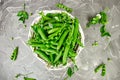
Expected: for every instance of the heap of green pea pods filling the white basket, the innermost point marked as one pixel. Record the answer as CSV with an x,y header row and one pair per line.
x,y
56,38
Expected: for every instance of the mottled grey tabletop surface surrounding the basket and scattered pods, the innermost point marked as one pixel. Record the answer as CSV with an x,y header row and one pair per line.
x,y
88,59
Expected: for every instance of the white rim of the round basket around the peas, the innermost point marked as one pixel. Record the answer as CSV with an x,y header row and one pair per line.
x,y
78,50
